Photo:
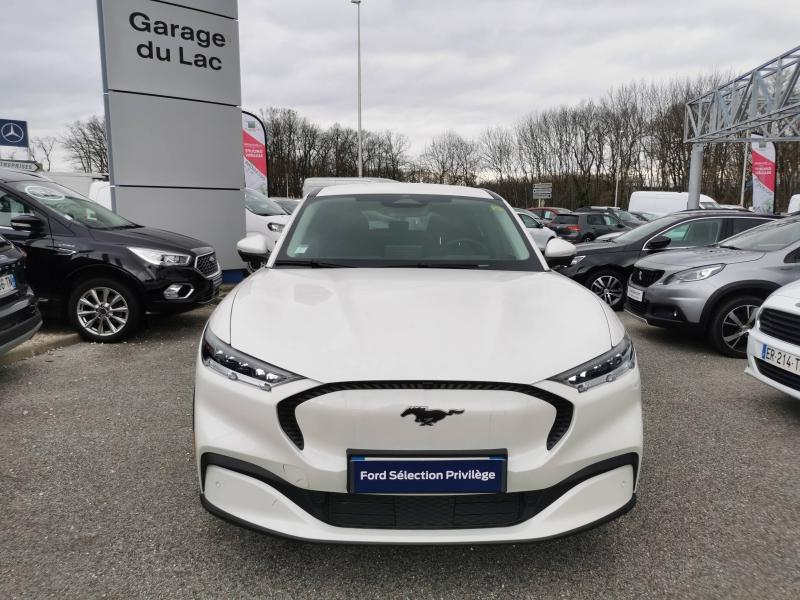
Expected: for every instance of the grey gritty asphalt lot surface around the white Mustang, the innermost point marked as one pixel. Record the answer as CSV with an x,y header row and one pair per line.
x,y
98,495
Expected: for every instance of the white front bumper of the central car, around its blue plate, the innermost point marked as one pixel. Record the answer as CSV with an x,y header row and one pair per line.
x,y
237,424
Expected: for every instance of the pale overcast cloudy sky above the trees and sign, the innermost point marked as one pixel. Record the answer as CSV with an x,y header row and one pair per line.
x,y
429,65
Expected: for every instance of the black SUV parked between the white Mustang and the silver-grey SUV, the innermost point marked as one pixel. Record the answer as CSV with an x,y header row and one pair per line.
x,y
604,267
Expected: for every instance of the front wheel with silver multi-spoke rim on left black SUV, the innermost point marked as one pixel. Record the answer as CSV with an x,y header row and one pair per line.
x,y
104,310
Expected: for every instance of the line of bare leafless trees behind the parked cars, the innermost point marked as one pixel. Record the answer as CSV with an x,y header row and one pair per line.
x,y
633,134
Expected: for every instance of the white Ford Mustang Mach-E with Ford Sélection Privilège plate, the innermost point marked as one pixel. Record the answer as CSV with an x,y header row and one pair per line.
x,y
407,369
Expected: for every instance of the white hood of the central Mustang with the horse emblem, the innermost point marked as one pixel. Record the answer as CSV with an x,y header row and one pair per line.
x,y
410,324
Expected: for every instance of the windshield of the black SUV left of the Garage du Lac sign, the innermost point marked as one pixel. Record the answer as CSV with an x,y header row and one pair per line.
x,y
71,205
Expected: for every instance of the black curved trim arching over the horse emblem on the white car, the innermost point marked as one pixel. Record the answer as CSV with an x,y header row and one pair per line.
x,y
288,406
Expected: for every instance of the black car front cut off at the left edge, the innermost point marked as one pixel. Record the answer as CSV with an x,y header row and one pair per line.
x,y
19,317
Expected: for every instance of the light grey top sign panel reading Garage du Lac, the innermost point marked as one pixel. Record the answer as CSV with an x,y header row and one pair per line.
x,y
157,48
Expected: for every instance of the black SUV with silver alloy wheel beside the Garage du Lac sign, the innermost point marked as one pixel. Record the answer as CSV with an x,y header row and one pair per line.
x,y
102,270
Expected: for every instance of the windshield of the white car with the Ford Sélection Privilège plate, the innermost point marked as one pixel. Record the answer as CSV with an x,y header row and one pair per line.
x,y
407,230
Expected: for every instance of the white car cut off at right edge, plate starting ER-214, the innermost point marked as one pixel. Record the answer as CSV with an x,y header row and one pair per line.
x,y
773,346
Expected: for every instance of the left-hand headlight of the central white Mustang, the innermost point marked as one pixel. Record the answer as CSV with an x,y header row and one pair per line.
x,y
238,366
